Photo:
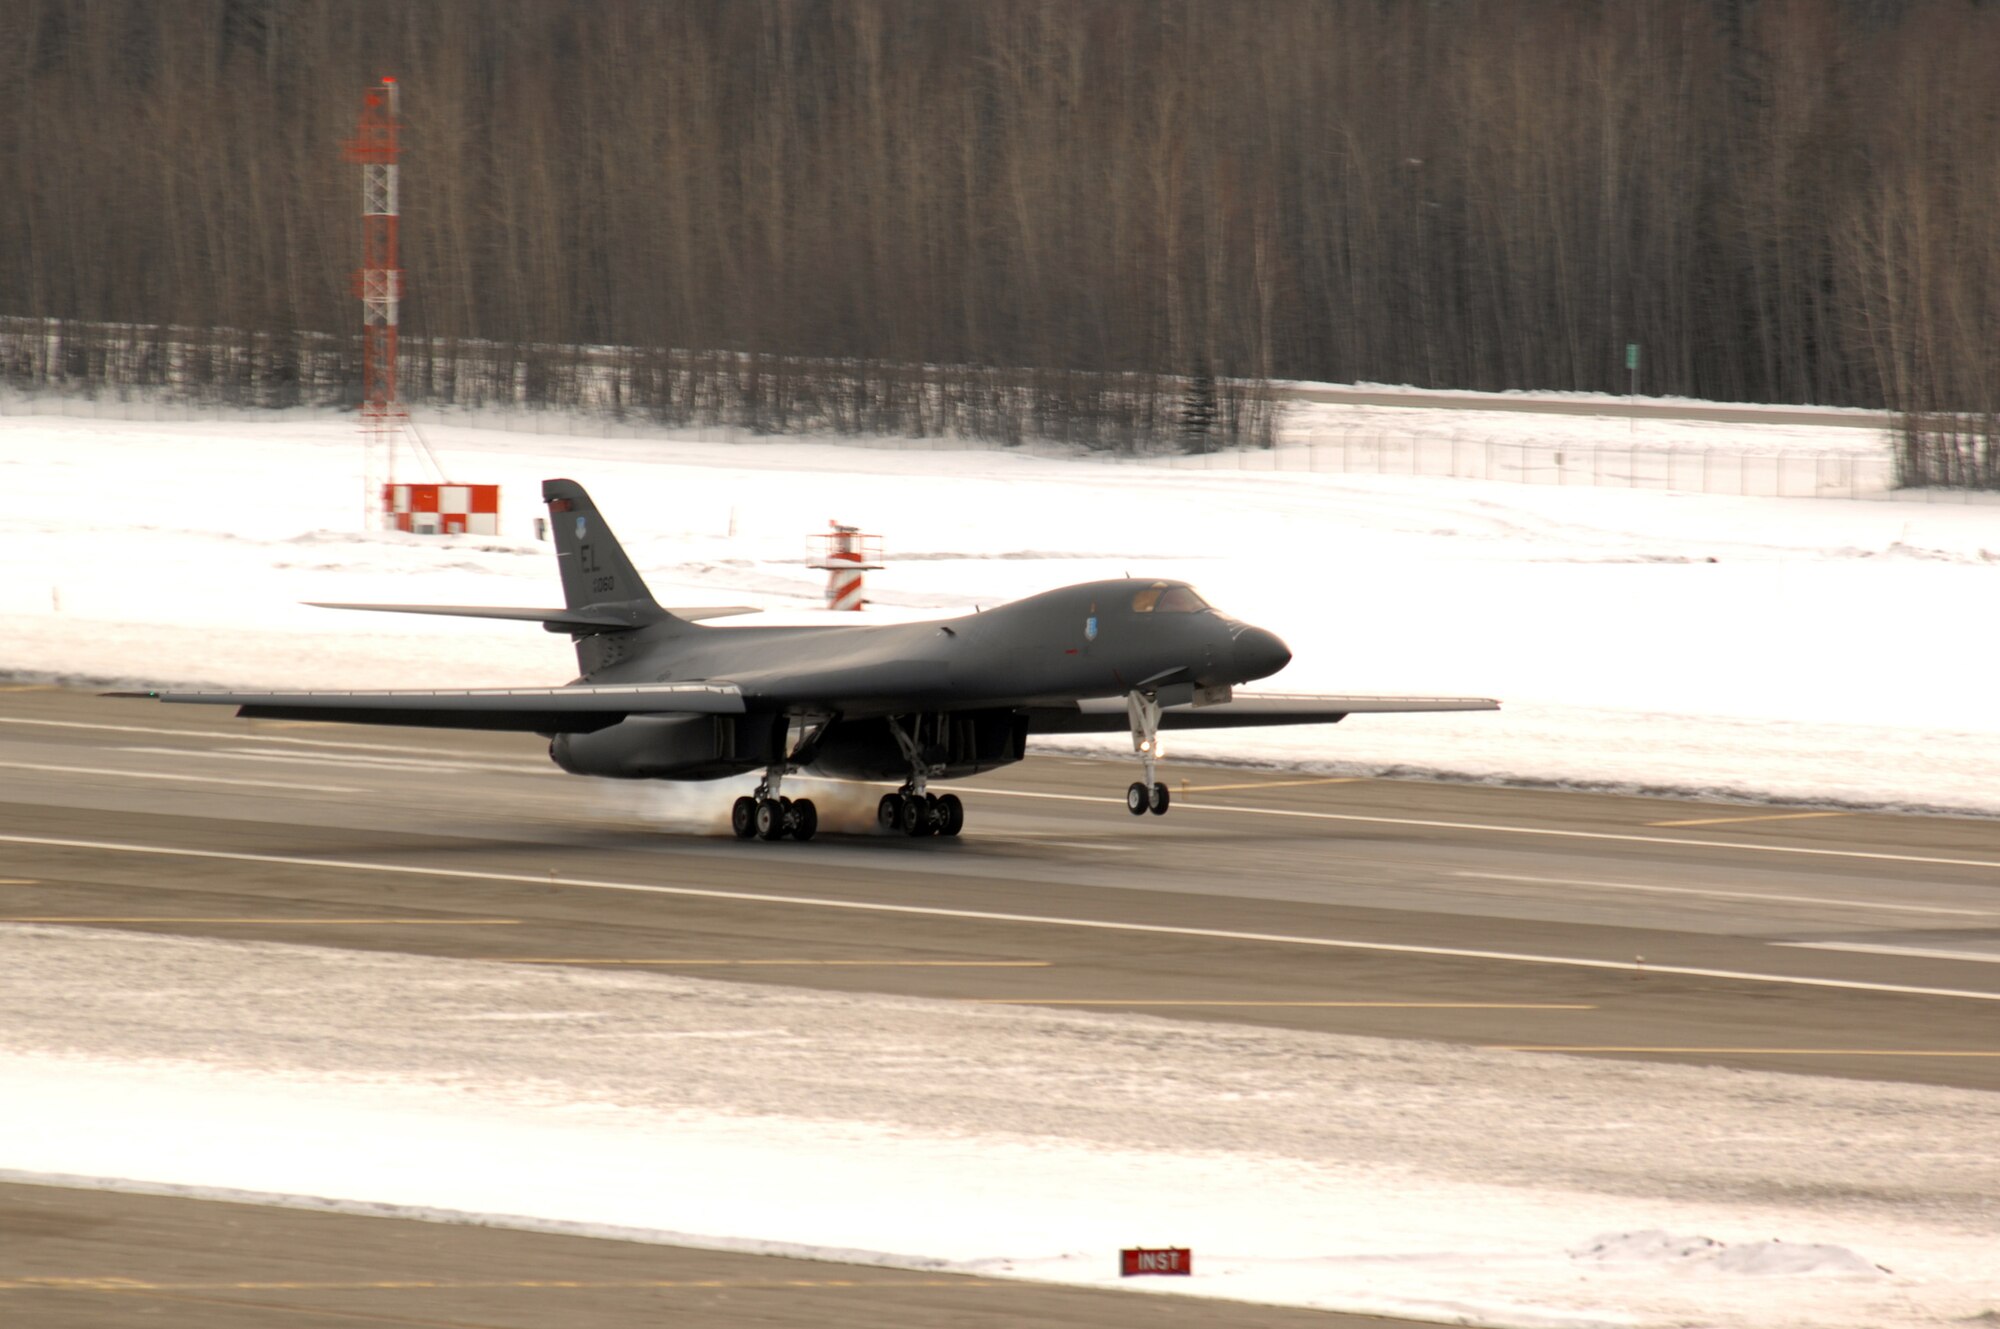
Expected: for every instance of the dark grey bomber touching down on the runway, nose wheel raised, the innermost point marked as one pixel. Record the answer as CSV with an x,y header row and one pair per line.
x,y
667,700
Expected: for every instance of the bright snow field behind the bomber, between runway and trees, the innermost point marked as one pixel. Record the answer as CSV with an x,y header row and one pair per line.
x,y
1817,651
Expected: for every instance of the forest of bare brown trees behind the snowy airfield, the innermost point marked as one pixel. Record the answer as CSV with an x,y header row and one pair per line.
x,y
1091,203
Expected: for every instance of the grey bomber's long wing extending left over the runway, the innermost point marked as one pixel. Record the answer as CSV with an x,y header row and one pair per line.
x,y
579,710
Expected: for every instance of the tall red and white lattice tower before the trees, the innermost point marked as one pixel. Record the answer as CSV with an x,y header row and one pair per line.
x,y
379,283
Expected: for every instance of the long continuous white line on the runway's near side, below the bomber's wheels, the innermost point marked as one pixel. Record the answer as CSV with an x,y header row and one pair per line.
x,y
981,916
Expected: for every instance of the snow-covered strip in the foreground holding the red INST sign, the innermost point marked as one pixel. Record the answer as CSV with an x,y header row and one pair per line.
x,y
1359,1174
